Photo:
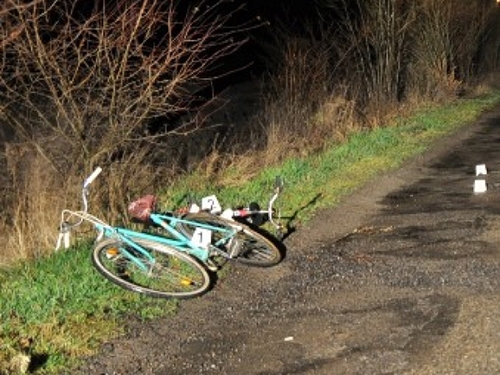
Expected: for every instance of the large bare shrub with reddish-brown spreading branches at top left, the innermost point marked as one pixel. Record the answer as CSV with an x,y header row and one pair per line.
x,y
95,82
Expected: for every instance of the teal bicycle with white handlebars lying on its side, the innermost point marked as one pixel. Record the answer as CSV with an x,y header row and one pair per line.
x,y
176,265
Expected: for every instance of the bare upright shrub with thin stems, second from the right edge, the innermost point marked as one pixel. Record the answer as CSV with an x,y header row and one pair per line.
x,y
373,38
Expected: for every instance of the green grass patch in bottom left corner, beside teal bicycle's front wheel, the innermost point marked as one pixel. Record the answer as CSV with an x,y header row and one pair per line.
x,y
59,308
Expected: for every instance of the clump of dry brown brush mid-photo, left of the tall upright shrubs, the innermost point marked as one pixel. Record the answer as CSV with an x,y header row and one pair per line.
x,y
305,107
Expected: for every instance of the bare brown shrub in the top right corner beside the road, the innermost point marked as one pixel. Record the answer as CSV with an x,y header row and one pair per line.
x,y
448,38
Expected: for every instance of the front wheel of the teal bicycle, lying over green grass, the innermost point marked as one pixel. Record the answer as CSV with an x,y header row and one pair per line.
x,y
173,275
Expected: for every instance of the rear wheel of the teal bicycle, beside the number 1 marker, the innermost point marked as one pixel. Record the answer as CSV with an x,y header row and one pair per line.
x,y
254,248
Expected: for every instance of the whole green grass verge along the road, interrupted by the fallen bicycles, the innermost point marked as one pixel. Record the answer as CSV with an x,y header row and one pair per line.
x,y
59,309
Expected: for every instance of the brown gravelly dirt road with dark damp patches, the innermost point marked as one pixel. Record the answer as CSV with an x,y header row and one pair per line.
x,y
401,278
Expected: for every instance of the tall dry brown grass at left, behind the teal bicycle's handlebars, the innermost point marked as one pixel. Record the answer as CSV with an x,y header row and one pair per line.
x,y
38,194
